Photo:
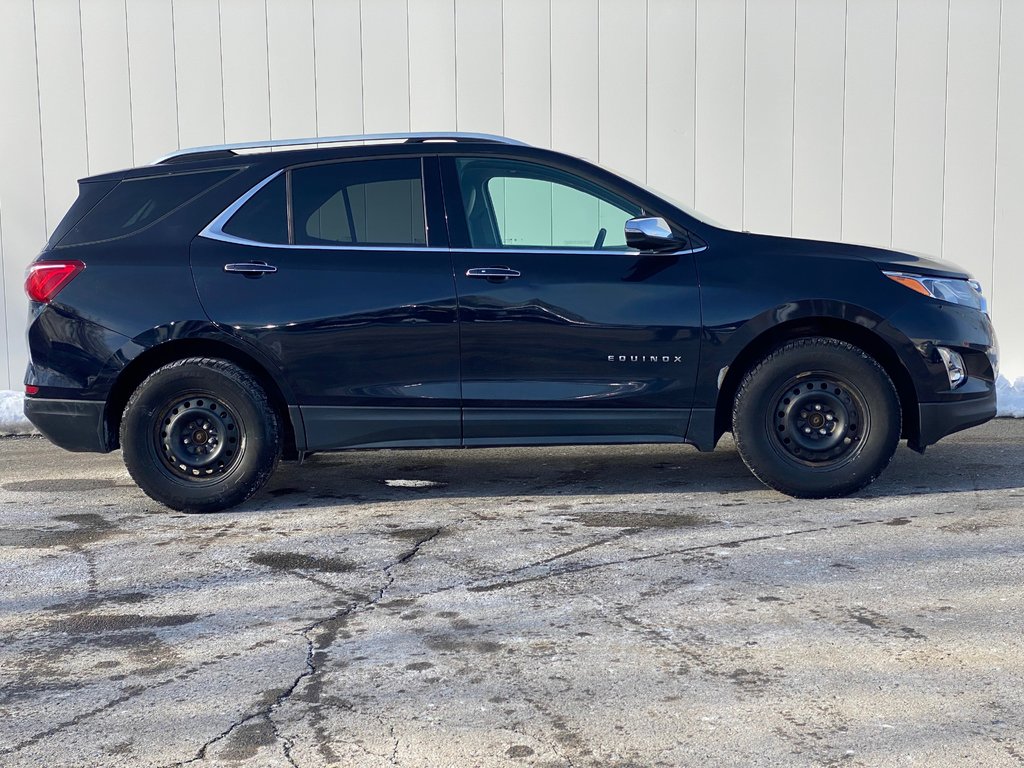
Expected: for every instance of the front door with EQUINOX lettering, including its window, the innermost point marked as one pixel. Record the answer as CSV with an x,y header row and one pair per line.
x,y
568,335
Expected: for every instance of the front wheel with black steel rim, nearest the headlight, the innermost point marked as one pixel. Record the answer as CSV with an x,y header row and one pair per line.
x,y
818,418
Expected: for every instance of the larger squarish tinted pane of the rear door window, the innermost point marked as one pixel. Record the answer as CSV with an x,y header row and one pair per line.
x,y
372,203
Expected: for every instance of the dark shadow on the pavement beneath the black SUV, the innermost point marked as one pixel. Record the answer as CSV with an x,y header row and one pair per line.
x,y
989,458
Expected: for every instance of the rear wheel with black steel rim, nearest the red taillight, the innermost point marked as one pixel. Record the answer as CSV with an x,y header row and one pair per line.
x,y
200,436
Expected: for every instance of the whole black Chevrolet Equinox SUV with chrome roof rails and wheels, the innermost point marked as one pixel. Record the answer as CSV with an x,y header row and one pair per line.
x,y
225,308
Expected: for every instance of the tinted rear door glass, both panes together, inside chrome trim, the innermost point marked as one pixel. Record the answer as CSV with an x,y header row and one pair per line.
x,y
357,203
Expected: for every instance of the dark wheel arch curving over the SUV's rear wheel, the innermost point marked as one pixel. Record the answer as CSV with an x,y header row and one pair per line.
x,y
136,372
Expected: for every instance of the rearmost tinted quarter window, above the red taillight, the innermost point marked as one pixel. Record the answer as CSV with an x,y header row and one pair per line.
x,y
137,203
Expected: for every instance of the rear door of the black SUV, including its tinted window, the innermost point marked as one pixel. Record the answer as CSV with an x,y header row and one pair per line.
x,y
340,274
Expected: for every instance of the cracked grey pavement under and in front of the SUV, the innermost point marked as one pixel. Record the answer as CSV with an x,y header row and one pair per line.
x,y
553,607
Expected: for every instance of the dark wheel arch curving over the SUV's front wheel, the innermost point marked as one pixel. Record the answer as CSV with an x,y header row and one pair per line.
x,y
835,328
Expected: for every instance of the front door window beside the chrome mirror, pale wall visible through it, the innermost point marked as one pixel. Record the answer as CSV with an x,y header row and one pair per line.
x,y
513,204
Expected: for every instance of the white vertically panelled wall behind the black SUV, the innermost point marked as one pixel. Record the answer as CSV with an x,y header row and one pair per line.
x,y
890,122
